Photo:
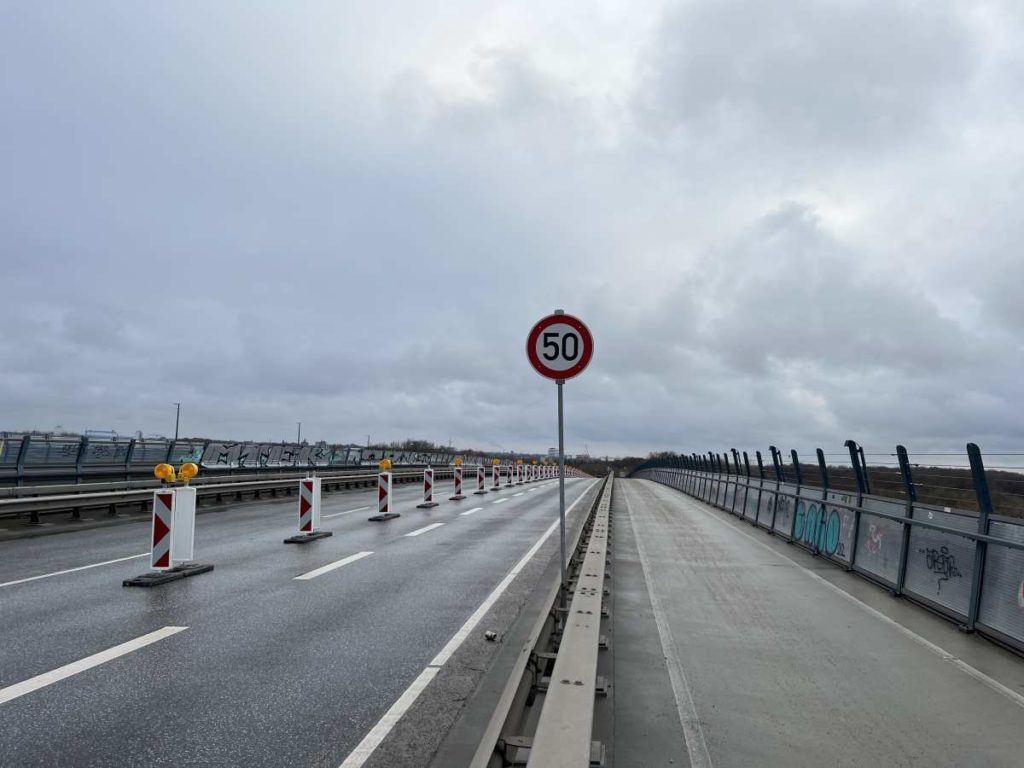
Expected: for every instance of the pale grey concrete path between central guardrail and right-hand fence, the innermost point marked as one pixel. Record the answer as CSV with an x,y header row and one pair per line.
x,y
772,666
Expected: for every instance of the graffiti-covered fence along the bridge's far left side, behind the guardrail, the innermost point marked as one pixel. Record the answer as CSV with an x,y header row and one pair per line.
x,y
26,458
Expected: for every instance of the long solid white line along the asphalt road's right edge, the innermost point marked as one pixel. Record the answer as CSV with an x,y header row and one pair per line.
x,y
379,733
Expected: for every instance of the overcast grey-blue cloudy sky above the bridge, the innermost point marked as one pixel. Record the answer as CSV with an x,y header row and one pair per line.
x,y
790,224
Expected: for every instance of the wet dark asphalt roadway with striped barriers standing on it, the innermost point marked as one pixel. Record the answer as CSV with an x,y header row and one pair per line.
x,y
272,671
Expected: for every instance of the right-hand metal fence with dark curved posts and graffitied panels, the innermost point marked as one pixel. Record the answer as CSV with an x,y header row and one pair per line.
x,y
967,566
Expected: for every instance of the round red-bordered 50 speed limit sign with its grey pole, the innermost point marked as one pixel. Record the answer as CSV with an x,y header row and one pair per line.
x,y
560,348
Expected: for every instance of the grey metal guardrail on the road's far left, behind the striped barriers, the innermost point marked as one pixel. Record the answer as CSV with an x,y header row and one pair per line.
x,y
75,503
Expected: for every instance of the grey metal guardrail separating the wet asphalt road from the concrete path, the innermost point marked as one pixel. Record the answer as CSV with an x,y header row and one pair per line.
x,y
562,647
